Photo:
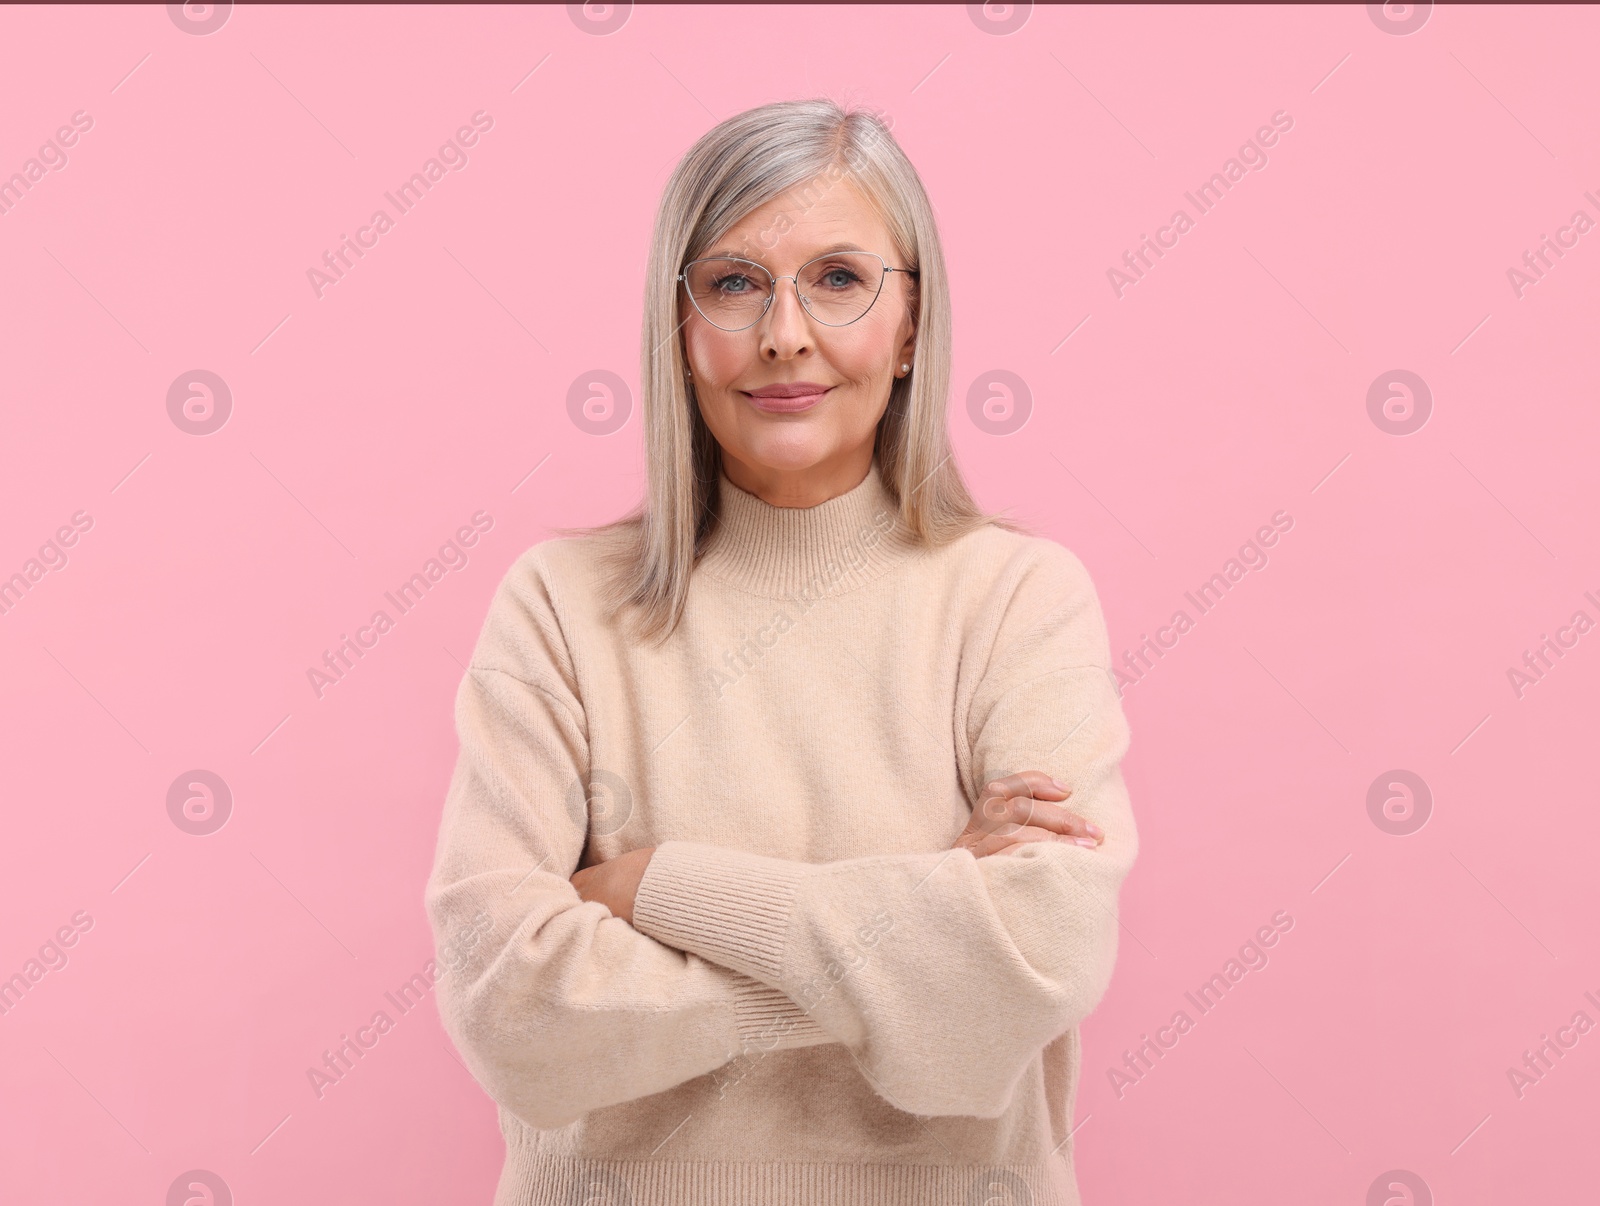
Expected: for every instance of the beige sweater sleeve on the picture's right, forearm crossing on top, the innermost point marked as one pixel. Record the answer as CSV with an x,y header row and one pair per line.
x,y
946,975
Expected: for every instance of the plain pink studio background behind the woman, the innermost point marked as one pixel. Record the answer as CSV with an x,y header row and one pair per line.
x,y
369,426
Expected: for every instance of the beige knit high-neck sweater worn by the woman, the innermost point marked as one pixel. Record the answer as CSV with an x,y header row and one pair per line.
x,y
820,1004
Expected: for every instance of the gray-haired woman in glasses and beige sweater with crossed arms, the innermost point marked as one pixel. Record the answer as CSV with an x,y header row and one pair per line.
x,y
754,863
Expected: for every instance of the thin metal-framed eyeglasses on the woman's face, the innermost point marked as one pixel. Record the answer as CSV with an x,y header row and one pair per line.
x,y
838,289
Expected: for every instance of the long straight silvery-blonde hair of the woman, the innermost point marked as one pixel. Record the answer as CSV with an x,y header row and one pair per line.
x,y
735,169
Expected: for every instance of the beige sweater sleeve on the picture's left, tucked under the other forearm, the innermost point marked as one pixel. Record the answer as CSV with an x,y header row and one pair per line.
x,y
556,1005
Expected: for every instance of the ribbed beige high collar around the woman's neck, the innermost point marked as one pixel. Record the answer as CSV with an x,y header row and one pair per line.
x,y
806,553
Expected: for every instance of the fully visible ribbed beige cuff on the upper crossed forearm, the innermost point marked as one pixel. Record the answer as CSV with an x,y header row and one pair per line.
x,y
722,904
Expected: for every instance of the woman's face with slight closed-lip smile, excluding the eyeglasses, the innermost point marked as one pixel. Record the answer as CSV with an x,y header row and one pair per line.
x,y
826,439
